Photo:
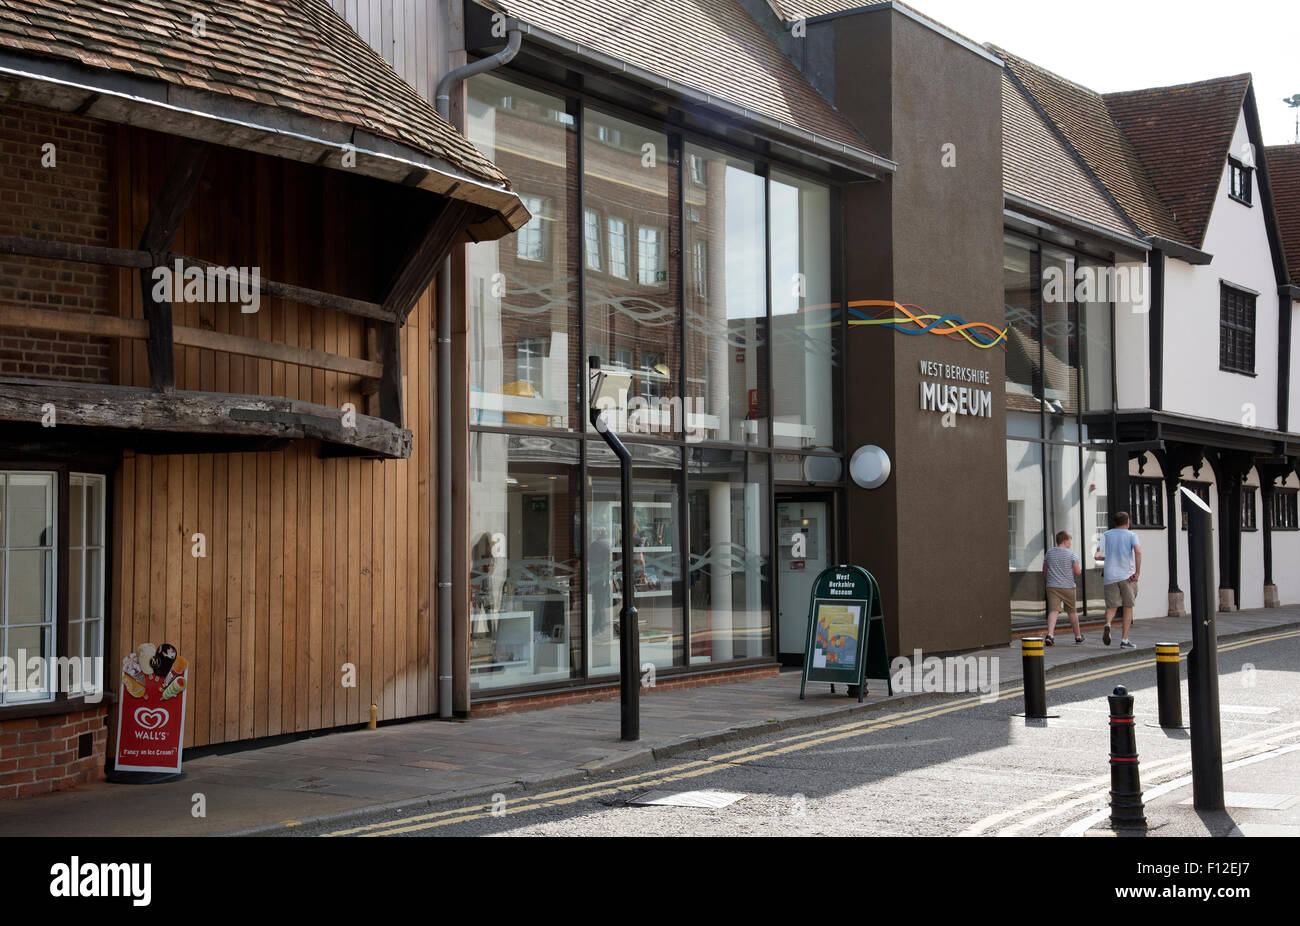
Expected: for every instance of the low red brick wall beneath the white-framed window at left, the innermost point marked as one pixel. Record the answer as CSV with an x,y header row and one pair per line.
x,y
40,755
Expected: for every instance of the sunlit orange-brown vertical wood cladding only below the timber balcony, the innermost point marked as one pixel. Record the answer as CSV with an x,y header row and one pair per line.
x,y
311,564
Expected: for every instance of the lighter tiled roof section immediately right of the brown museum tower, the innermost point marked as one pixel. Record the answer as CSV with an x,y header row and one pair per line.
x,y
1039,168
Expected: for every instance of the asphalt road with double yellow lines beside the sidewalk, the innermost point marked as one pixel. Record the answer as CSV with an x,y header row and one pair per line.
x,y
944,765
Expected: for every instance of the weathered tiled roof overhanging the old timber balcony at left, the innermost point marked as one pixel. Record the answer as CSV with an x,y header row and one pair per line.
x,y
297,55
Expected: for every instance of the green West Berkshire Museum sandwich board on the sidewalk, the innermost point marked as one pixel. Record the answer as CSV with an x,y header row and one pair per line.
x,y
847,631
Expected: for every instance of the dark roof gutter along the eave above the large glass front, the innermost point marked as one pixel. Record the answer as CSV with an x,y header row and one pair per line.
x,y
839,153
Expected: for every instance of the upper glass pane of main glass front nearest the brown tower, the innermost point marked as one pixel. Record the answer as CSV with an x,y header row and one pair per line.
x,y
805,321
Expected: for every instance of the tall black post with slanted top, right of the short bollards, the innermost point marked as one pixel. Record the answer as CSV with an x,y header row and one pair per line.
x,y
1203,665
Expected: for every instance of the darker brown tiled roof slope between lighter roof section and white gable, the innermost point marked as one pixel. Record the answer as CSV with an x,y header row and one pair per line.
x,y
1085,120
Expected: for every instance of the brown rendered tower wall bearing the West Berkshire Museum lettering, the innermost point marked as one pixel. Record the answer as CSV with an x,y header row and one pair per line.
x,y
935,534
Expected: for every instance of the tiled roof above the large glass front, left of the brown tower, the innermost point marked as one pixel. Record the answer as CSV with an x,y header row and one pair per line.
x,y
710,46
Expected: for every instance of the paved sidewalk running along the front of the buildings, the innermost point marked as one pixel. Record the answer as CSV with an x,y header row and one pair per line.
x,y
432,761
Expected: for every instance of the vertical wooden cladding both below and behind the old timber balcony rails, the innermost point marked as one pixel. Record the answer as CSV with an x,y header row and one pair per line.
x,y
311,564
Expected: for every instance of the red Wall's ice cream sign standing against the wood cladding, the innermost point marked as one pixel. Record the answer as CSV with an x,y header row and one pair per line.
x,y
151,709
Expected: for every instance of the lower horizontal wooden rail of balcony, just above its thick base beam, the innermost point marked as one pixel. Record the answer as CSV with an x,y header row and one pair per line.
x,y
114,327
